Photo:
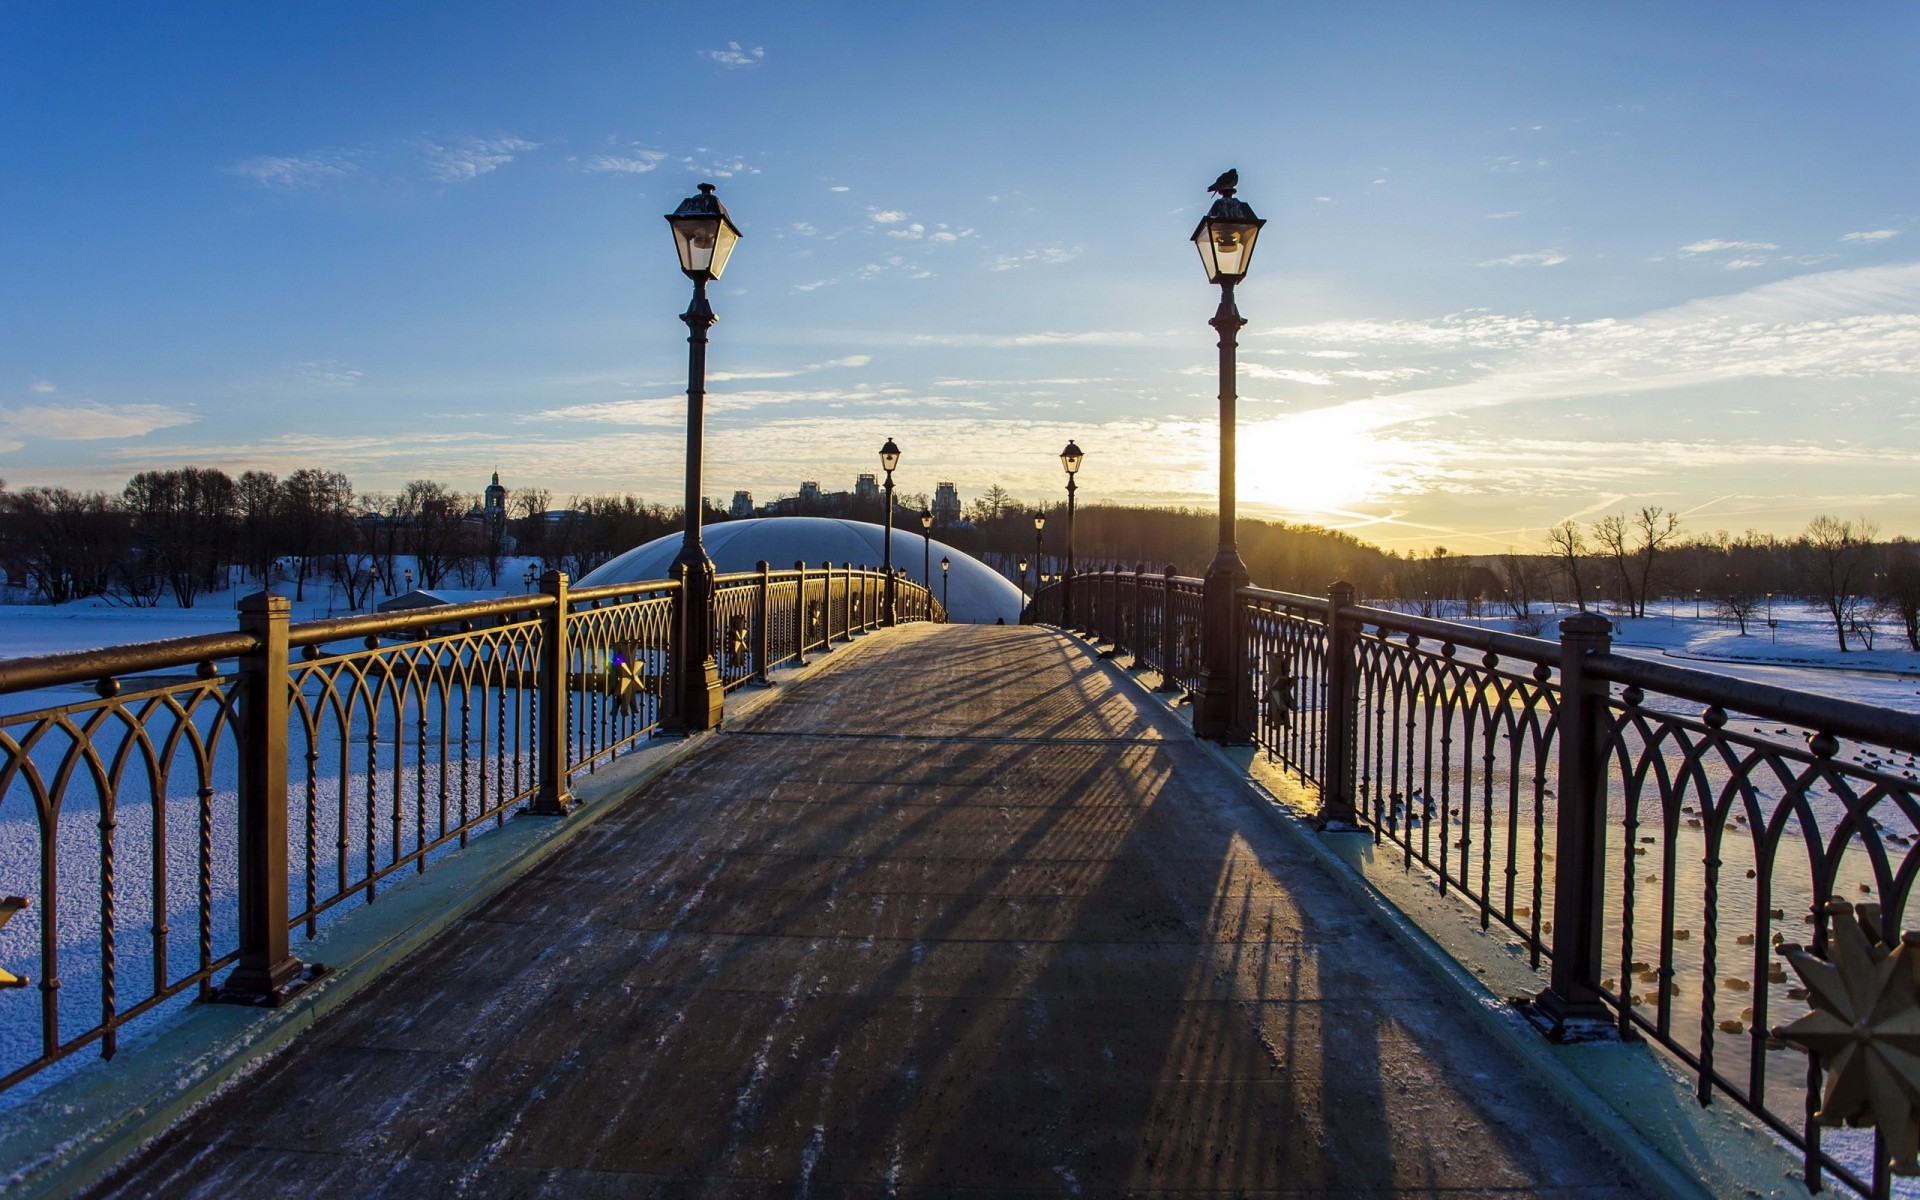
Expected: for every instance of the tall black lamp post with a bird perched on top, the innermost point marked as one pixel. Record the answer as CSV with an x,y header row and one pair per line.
x,y
1226,243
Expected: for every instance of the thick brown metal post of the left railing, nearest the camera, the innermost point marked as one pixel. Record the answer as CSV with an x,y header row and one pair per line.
x,y
268,971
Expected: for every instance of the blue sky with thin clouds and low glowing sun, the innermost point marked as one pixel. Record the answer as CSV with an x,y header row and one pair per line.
x,y
1524,262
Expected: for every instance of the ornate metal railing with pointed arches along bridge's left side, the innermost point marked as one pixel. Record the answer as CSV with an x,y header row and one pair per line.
x,y
178,811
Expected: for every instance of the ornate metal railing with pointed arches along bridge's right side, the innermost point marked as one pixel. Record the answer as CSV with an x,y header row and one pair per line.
x,y
1648,834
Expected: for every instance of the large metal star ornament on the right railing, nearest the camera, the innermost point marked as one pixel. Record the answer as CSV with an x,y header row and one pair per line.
x,y
1865,1028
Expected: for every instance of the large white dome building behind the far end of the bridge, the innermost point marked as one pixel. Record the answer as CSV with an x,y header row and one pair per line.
x,y
976,594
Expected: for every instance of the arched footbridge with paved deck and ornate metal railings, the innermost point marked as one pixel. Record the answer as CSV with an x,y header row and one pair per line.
x,y
938,909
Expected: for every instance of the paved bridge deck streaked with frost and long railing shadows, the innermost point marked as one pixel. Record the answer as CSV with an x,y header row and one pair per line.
x,y
953,915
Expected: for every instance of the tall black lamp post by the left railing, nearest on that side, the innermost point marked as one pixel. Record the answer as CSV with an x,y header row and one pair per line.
x,y
706,239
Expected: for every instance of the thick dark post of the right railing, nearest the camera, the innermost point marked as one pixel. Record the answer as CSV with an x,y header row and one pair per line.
x,y
1572,1003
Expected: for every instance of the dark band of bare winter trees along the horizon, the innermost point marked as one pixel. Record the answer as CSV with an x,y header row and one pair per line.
x,y
180,533
